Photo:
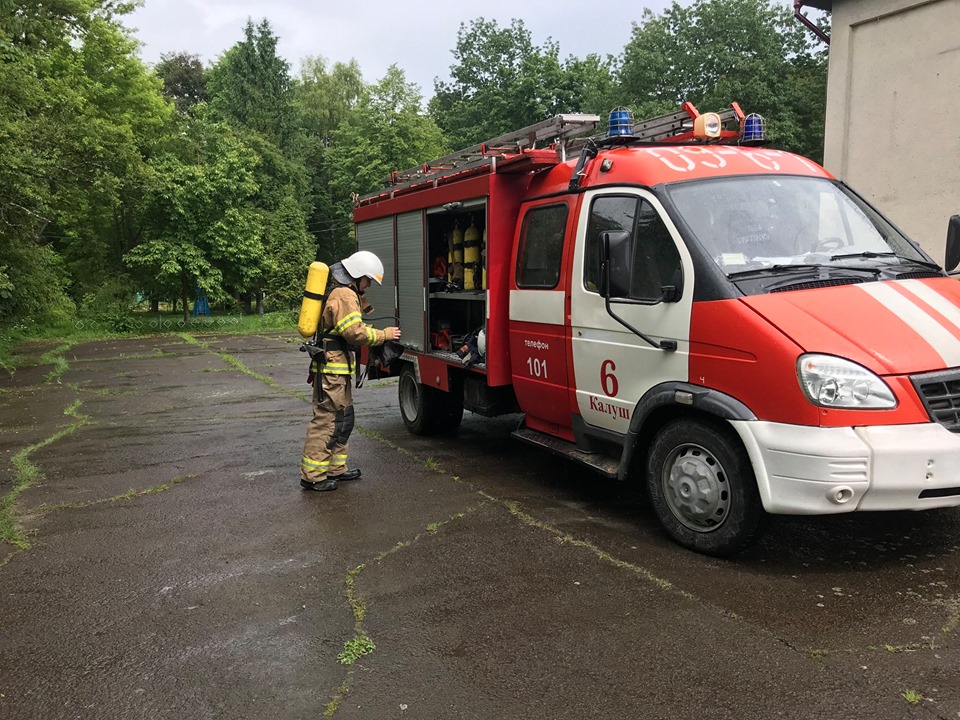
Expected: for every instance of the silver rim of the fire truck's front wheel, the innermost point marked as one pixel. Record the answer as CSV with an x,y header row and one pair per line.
x,y
696,489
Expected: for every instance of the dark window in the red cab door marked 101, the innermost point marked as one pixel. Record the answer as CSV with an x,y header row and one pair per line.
x,y
541,247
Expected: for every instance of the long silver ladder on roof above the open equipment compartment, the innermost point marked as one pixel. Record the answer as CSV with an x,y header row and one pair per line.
x,y
558,128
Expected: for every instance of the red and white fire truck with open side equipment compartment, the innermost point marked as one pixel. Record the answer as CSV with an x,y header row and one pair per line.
x,y
674,303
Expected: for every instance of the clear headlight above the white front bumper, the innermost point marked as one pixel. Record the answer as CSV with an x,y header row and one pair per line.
x,y
830,381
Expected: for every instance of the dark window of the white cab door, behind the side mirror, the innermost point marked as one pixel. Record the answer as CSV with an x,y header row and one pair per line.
x,y
656,260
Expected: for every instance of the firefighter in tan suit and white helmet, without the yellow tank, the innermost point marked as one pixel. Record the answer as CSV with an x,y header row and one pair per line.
x,y
341,331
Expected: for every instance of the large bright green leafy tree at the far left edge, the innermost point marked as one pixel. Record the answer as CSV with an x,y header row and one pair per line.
x,y
78,114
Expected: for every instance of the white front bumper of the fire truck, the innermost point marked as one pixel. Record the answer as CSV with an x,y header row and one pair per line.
x,y
817,471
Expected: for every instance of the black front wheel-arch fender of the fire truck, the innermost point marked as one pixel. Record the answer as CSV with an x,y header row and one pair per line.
x,y
677,394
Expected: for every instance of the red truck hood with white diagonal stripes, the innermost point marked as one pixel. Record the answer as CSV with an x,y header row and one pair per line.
x,y
892,327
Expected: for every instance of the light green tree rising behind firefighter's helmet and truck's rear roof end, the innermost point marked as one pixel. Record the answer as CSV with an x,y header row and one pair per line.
x,y
386,131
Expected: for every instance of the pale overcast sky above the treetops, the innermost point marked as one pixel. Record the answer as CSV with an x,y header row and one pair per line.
x,y
418,36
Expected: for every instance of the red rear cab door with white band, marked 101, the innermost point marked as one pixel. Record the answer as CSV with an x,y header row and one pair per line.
x,y
538,318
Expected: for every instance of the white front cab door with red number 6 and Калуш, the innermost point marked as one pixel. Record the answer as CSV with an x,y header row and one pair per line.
x,y
612,366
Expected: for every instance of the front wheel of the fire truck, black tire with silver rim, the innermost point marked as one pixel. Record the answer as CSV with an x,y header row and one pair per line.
x,y
703,488
